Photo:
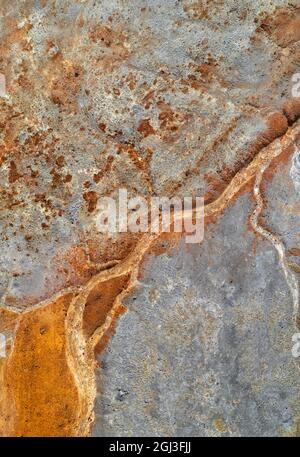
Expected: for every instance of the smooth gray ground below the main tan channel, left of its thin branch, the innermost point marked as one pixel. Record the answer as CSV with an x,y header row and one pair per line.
x,y
205,347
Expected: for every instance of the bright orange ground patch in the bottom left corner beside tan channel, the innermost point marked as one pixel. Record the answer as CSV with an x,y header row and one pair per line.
x,y
37,378
